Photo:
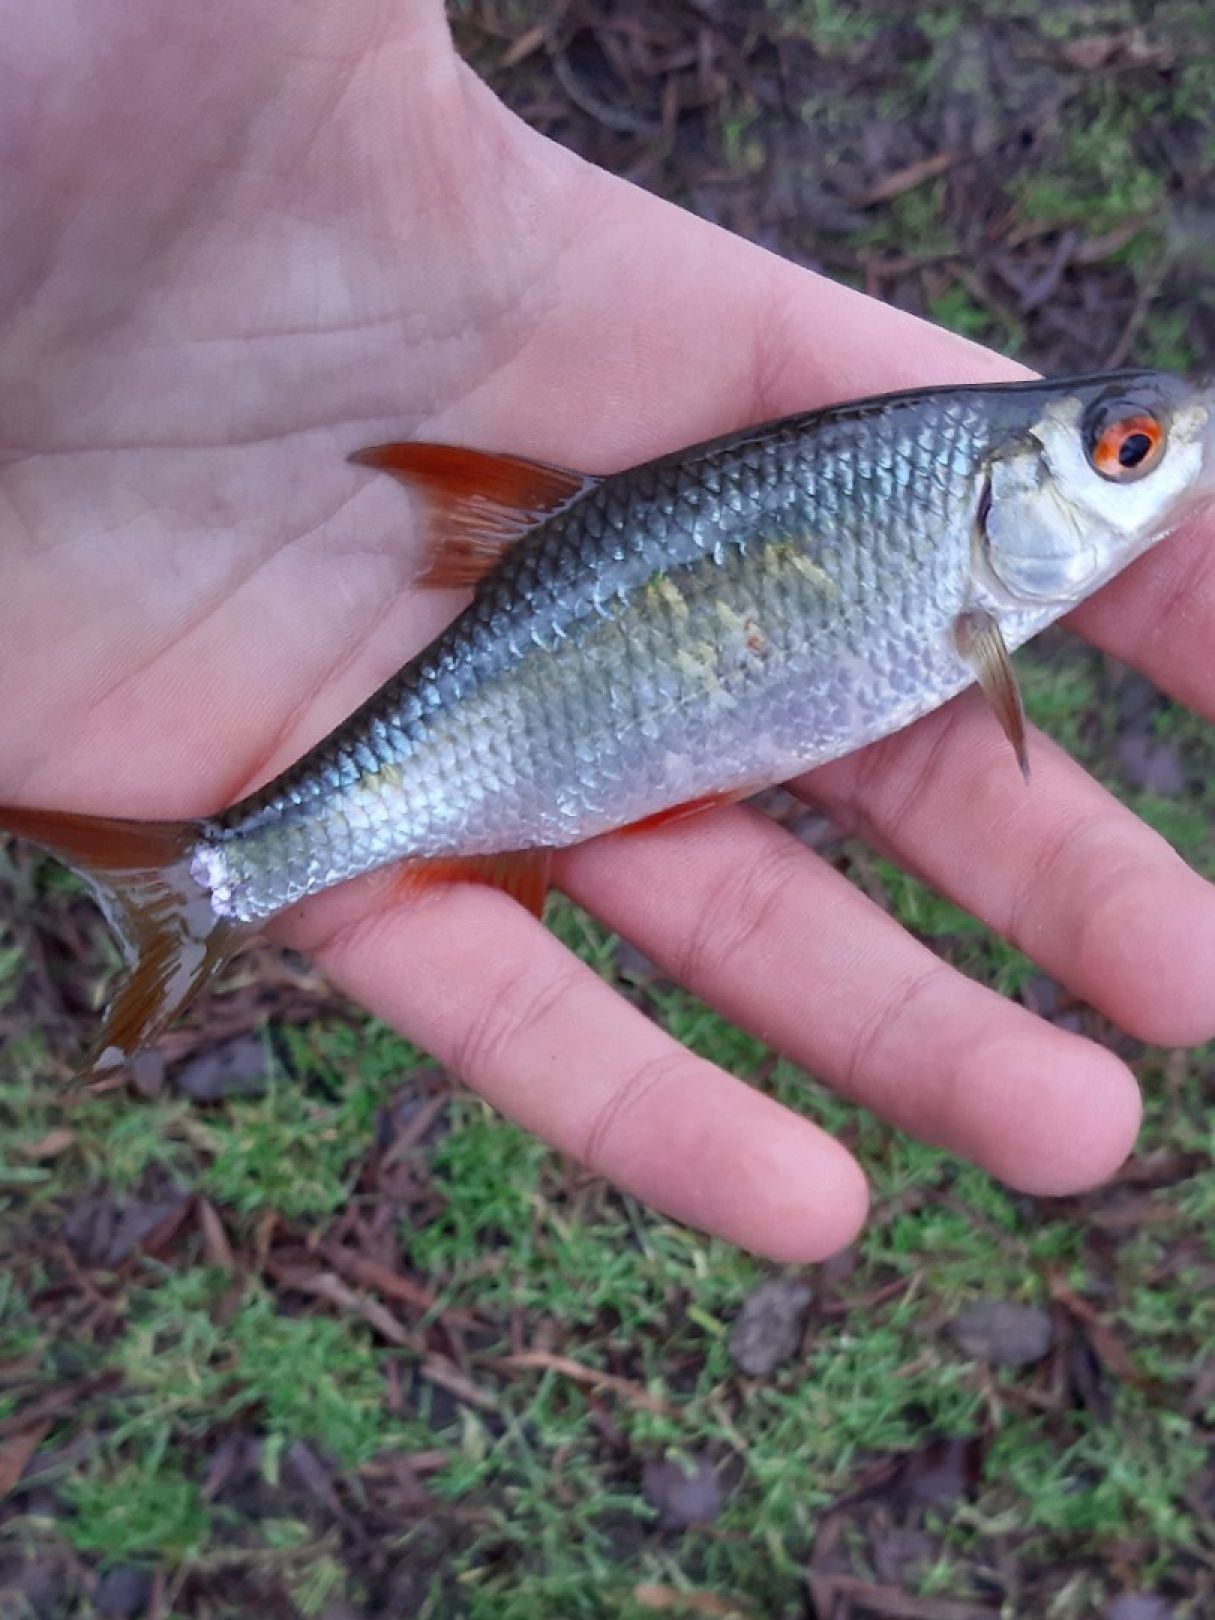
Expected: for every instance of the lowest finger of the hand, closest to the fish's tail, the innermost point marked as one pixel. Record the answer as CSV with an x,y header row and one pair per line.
x,y
495,997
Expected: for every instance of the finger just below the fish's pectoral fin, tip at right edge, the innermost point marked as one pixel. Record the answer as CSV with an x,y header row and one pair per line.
x,y
1059,868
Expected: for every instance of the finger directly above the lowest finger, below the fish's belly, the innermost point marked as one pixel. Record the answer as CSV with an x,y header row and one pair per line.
x,y
780,942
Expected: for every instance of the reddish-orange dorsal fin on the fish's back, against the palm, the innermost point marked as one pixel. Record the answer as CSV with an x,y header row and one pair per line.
x,y
480,503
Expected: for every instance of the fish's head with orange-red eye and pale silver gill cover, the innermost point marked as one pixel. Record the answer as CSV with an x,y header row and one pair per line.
x,y
1106,469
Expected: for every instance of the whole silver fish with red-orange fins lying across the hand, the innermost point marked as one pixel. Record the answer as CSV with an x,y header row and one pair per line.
x,y
665,639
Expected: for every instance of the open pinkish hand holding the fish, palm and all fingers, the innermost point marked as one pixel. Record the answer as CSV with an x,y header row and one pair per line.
x,y
226,266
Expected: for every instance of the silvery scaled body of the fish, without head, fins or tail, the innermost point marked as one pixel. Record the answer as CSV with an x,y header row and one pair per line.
x,y
600,675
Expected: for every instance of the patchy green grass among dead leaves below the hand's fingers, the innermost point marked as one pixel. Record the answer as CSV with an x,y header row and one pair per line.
x,y
195,1355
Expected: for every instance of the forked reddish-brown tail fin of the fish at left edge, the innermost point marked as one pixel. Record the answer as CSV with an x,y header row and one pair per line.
x,y
140,874
